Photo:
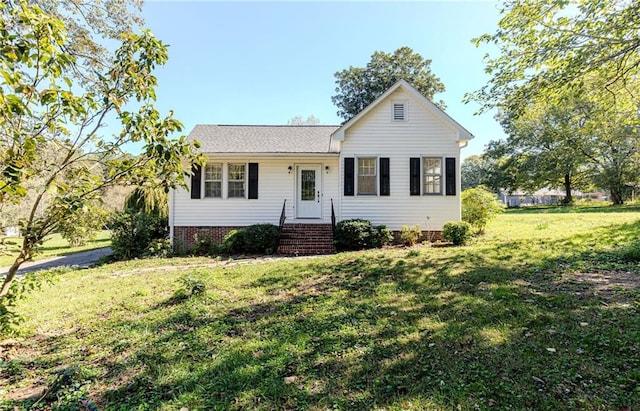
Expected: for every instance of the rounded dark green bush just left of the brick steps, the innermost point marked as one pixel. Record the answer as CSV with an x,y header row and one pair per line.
x,y
254,239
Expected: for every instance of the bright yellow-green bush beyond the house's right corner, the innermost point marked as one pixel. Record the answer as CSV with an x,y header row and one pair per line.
x,y
479,206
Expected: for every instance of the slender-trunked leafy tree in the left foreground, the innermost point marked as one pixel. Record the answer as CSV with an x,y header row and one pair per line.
x,y
46,102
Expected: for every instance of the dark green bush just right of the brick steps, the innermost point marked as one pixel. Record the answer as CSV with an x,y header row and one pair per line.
x,y
358,234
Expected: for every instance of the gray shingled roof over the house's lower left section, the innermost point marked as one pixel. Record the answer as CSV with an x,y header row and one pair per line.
x,y
263,139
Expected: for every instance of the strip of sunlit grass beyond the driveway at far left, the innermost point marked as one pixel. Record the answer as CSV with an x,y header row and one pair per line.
x,y
53,246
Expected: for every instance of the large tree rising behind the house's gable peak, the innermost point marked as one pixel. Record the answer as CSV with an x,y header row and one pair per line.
x,y
357,87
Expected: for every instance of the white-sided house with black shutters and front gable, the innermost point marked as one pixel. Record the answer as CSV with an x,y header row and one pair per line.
x,y
395,163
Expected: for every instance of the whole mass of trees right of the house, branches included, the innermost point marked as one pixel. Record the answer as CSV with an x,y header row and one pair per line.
x,y
565,85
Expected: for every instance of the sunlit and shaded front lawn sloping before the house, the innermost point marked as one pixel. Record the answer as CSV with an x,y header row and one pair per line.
x,y
540,313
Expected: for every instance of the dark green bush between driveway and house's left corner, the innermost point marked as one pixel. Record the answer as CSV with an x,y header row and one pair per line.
x,y
132,233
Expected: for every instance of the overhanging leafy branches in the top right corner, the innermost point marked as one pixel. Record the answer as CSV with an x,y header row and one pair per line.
x,y
548,47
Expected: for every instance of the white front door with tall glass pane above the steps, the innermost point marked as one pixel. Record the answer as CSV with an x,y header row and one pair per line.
x,y
308,196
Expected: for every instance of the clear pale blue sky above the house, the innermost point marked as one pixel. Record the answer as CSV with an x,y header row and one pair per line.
x,y
265,62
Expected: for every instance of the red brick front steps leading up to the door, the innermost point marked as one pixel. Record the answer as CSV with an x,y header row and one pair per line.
x,y
306,239
